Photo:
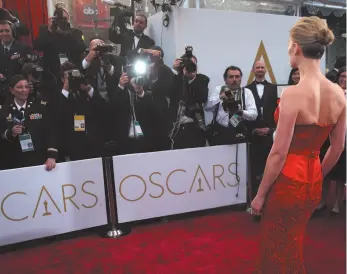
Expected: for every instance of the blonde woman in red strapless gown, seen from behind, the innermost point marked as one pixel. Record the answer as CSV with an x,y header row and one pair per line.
x,y
292,183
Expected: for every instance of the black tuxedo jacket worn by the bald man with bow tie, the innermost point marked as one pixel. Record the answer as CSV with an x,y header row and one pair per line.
x,y
269,106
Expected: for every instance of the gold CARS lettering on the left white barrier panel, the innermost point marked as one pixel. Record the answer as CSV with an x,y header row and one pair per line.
x,y
68,197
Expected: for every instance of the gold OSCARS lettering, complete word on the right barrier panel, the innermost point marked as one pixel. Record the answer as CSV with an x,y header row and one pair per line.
x,y
134,187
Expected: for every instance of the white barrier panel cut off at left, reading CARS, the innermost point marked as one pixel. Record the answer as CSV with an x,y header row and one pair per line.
x,y
35,203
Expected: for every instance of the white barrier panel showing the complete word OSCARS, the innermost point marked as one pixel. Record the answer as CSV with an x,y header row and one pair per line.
x,y
172,182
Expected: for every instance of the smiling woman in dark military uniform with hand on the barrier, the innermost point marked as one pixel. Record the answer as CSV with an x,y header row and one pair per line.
x,y
26,127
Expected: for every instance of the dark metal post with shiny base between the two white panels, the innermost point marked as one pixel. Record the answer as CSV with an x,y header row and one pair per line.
x,y
113,232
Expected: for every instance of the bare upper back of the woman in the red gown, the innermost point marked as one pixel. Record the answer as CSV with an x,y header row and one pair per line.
x,y
319,101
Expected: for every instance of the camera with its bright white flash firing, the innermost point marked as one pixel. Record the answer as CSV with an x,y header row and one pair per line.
x,y
139,71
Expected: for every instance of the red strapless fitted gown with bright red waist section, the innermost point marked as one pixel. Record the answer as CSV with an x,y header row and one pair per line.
x,y
292,199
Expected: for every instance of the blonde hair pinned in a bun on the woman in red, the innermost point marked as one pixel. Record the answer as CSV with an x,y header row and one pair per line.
x,y
313,35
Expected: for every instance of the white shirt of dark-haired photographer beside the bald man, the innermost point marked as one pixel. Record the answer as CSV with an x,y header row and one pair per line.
x,y
250,112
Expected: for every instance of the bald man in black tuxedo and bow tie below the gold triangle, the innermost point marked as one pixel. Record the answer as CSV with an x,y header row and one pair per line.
x,y
265,95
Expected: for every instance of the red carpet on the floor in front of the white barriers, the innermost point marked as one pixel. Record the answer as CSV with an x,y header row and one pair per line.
x,y
220,243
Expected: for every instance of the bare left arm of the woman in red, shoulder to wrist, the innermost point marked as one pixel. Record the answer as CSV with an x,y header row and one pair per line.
x,y
284,134
